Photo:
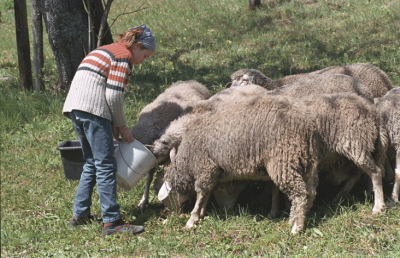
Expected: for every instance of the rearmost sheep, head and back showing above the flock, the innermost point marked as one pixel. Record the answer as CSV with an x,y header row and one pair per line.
x,y
371,76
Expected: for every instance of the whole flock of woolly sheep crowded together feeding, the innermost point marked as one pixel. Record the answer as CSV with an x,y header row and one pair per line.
x,y
339,122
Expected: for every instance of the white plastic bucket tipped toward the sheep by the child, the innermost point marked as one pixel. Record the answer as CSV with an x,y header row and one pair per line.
x,y
134,161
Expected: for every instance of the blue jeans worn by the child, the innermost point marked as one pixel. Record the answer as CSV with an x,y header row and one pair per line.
x,y
96,138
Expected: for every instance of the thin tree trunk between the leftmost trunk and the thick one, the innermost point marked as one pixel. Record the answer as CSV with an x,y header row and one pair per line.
x,y
37,29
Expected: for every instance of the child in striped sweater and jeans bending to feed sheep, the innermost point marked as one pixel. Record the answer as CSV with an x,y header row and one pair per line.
x,y
95,105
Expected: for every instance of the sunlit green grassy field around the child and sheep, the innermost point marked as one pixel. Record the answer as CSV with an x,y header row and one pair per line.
x,y
205,41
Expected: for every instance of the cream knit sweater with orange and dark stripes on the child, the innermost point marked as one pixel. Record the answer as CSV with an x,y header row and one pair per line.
x,y
99,82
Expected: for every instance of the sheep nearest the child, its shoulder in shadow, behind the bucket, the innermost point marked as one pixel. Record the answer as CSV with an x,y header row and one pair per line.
x,y
156,116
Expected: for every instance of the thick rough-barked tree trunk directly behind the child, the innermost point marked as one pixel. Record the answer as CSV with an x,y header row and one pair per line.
x,y
67,28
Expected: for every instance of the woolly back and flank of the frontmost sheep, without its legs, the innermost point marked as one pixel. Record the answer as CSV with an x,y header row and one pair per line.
x,y
238,138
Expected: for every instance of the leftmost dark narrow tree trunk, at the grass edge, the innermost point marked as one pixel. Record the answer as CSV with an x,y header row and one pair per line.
x,y
22,36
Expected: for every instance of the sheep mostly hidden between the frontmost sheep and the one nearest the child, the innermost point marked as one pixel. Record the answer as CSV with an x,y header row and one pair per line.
x,y
165,147
